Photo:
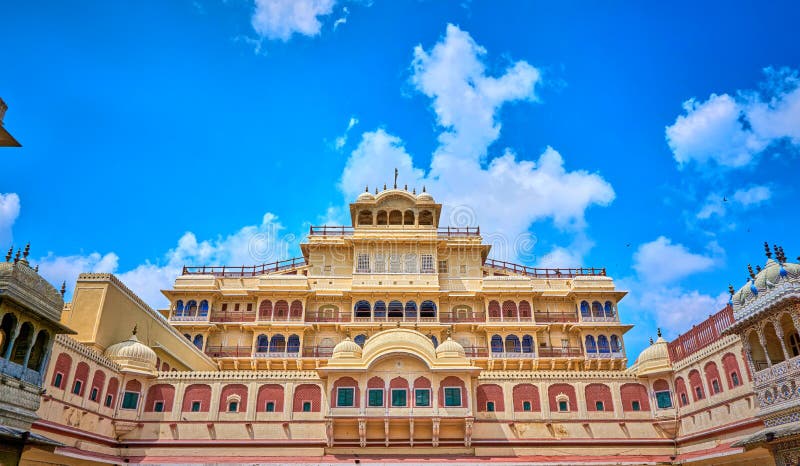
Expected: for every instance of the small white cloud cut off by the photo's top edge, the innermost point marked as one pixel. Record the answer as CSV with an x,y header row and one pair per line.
x,y
280,19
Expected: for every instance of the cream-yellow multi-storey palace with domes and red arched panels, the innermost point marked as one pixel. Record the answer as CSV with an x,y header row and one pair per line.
x,y
398,338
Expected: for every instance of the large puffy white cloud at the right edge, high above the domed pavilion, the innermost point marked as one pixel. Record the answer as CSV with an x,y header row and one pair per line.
x,y
732,131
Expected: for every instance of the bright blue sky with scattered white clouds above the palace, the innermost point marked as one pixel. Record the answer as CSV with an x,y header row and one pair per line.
x,y
659,142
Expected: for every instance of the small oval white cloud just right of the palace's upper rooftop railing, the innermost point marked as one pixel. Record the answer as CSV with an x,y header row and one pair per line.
x,y
662,262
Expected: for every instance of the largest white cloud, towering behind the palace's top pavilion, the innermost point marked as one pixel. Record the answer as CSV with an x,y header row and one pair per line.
x,y
506,194
